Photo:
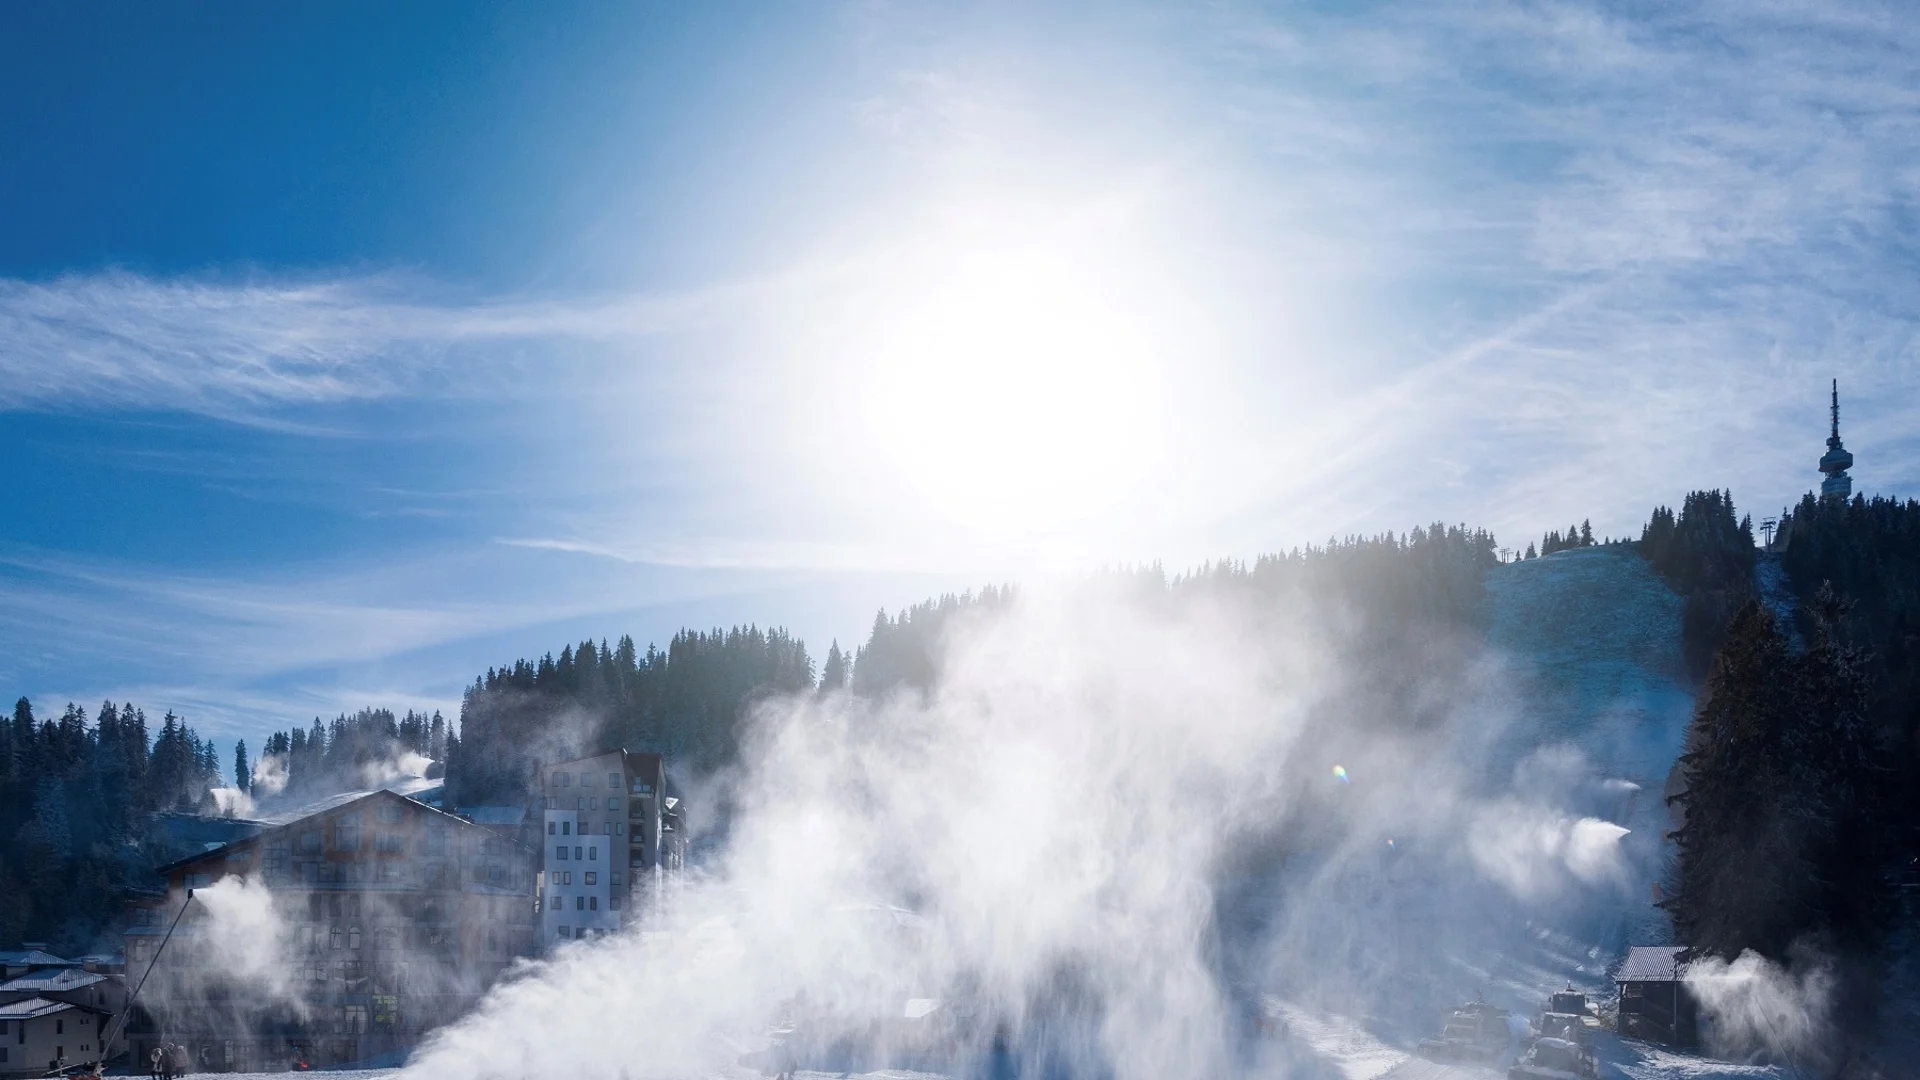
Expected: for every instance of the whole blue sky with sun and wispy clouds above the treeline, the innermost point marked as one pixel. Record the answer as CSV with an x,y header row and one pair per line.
x,y
350,349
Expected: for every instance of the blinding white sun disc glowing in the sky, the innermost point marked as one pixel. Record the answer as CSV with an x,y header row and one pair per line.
x,y
1015,393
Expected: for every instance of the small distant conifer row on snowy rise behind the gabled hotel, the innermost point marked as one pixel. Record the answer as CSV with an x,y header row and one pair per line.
x,y
350,752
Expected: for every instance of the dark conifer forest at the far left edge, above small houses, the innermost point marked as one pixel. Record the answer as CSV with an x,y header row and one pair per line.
x,y
76,804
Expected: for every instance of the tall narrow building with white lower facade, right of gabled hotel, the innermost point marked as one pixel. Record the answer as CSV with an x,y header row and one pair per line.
x,y
612,843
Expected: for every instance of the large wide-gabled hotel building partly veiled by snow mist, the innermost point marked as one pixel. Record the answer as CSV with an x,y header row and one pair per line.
x,y
387,921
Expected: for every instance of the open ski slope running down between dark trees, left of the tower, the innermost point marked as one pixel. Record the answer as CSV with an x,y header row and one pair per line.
x,y
1591,650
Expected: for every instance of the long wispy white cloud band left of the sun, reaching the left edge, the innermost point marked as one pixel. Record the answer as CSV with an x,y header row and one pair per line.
x,y
122,341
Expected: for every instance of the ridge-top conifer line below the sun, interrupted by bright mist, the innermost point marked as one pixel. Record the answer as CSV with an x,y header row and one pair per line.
x,y
692,699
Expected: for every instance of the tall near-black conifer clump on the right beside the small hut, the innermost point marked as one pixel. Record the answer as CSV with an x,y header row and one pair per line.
x,y
1783,837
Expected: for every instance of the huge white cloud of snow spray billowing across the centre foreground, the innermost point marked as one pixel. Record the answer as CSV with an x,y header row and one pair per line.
x,y
1059,818
